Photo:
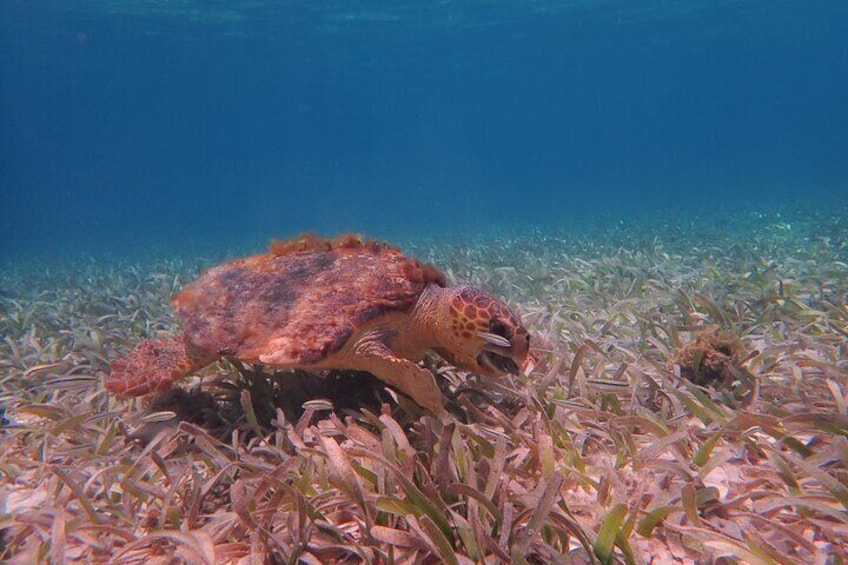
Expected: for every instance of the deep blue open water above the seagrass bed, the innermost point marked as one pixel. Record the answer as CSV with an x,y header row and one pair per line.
x,y
130,124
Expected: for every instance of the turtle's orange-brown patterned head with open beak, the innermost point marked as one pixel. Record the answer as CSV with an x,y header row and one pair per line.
x,y
481,334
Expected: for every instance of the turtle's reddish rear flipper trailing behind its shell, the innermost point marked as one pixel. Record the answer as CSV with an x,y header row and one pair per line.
x,y
155,364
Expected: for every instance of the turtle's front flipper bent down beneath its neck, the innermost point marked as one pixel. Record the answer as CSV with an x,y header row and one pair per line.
x,y
374,356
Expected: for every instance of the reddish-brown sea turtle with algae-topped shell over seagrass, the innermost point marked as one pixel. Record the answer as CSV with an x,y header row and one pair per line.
x,y
313,303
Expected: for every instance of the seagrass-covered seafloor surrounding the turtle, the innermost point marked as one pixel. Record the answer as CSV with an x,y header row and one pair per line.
x,y
603,452
